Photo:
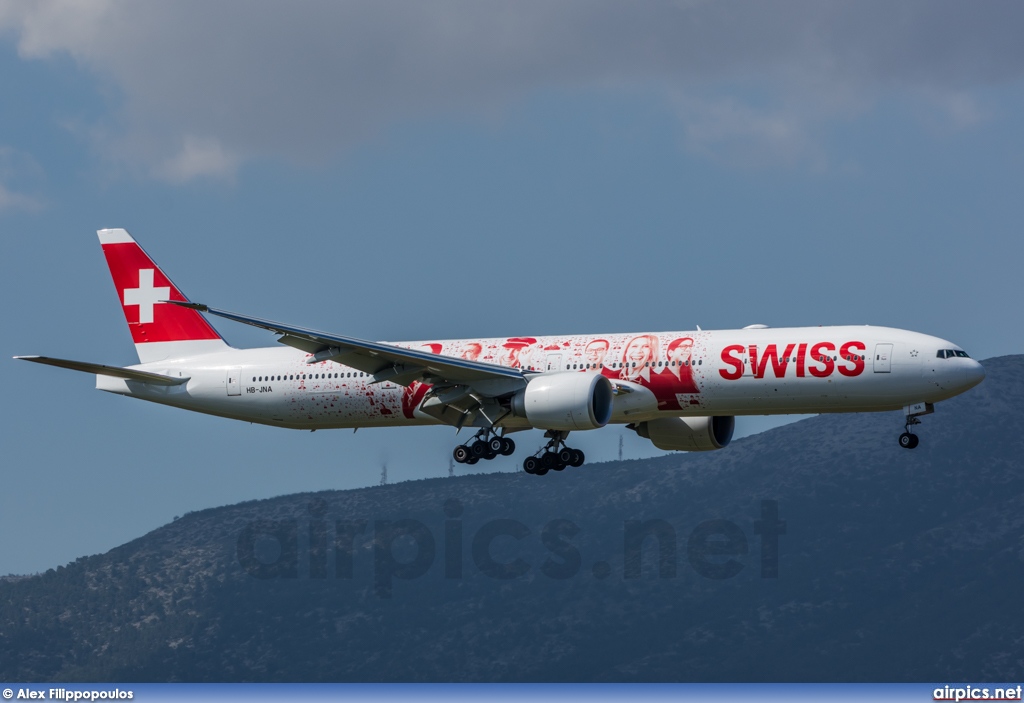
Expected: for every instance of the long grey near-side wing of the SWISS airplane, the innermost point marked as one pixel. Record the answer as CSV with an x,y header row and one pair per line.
x,y
389,362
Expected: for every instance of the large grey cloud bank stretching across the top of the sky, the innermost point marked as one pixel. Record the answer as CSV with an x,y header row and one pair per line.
x,y
203,87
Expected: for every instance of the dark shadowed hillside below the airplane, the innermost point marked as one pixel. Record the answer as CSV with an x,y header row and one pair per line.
x,y
894,565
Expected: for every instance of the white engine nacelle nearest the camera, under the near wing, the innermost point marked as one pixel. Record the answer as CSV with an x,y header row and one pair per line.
x,y
566,402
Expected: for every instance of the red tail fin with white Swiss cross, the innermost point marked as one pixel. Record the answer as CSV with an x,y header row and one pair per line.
x,y
159,331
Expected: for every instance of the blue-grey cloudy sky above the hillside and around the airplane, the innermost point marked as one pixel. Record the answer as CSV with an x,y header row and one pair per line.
x,y
407,171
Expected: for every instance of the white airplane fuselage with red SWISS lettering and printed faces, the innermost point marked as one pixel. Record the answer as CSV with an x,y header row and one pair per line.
x,y
702,373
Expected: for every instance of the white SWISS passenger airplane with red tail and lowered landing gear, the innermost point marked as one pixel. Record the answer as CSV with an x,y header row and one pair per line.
x,y
681,390
